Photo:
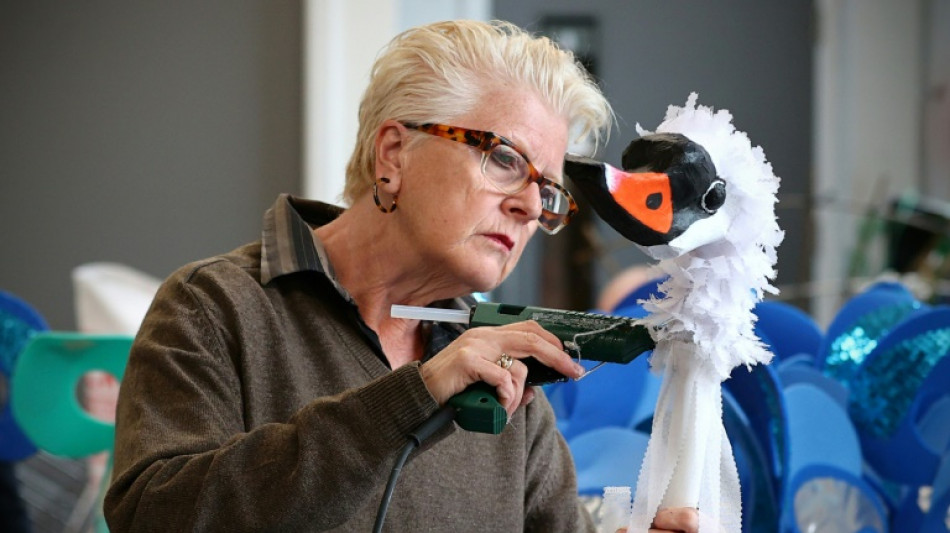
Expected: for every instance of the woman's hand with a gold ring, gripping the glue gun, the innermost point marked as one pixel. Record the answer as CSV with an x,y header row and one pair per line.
x,y
474,357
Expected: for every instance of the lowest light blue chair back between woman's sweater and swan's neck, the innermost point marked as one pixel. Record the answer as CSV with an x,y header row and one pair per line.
x,y
607,457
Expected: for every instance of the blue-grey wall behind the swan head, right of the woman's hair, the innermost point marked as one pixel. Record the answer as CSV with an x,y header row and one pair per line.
x,y
753,58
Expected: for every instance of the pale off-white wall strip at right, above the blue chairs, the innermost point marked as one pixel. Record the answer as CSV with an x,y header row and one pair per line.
x,y
867,125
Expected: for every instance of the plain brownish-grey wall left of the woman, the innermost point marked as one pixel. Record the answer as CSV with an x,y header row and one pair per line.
x,y
148,133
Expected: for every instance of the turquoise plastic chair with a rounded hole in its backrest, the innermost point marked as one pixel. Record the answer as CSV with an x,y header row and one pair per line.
x,y
44,394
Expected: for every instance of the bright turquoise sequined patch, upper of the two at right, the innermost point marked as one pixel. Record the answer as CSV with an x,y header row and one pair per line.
x,y
849,349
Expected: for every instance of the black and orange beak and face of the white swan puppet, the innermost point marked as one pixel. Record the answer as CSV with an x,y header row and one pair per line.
x,y
668,183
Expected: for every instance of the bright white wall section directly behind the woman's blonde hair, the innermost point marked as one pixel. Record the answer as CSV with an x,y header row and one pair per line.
x,y
342,38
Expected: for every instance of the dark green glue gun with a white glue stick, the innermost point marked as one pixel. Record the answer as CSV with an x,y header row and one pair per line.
x,y
586,336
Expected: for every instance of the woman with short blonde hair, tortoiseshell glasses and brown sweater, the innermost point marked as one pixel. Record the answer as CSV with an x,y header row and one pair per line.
x,y
270,389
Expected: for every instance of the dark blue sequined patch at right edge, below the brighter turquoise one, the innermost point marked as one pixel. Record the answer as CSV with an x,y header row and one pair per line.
x,y
886,387
